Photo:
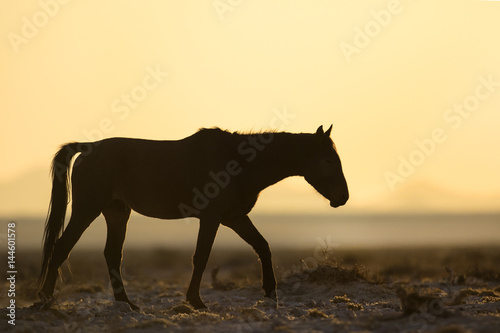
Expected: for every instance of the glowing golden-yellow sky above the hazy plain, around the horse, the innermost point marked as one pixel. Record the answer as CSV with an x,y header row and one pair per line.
x,y
412,88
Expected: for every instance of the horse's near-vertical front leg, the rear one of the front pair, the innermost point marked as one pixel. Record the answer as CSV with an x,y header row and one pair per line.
x,y
206,236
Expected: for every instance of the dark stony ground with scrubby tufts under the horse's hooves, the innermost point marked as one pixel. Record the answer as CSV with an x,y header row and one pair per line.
x,y
384,290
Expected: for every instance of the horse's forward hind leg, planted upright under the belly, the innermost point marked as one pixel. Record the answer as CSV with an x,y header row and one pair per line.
x,y
116,215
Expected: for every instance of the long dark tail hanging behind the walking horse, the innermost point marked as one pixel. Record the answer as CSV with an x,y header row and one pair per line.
x,y
54,223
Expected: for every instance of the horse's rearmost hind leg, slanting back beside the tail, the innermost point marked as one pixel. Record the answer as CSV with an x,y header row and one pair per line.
x,y
79,221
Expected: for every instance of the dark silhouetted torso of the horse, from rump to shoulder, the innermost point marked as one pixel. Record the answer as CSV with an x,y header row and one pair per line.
x,y
156,178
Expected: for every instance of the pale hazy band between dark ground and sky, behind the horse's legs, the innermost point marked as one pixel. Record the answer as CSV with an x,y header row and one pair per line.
x,y
303,231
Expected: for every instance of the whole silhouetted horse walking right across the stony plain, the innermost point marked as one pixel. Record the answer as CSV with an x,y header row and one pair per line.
x,y
213,175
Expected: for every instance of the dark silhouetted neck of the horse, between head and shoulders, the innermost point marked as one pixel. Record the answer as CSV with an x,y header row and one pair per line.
x,y
282,157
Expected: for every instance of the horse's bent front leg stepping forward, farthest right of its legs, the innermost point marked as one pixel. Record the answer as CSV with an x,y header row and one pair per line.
x,y
247,231
